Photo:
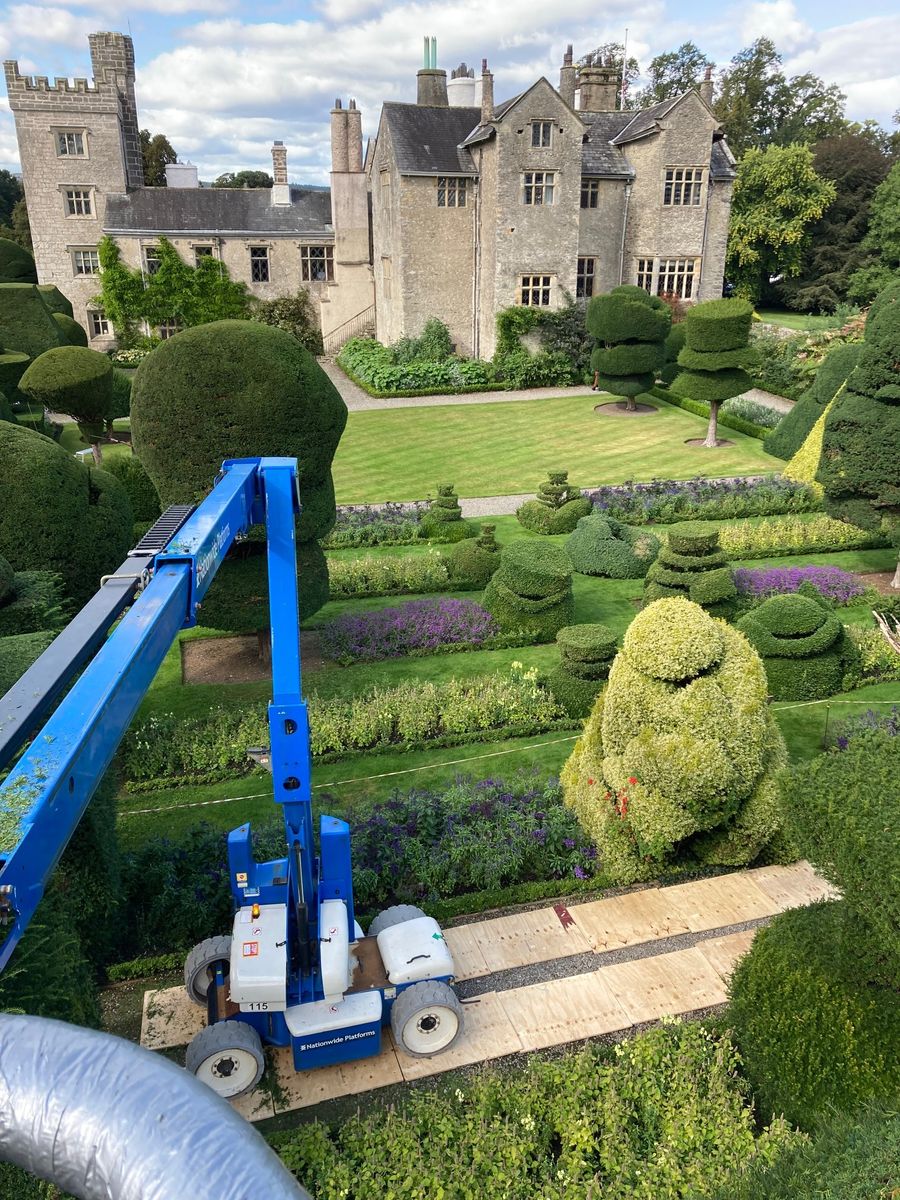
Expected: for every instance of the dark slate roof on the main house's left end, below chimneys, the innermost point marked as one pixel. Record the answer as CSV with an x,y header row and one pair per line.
x,y
427,140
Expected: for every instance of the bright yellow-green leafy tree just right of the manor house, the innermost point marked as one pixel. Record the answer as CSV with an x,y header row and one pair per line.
x,y
778,196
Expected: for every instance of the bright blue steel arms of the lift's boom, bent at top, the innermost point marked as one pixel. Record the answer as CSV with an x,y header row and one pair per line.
x,y
49,790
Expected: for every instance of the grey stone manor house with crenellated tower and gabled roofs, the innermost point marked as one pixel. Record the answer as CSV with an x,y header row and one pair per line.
x,y
460,208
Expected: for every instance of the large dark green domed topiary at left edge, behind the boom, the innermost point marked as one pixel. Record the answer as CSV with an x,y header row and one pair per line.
x,y
61,515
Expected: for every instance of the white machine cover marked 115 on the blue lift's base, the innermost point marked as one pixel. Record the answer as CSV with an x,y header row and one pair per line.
x,y
260,959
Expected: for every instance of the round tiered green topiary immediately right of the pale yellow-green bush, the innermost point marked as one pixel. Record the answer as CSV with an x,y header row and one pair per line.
x,y
805,647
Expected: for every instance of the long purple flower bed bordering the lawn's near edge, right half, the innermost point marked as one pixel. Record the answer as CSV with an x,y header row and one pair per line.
x,y
674,500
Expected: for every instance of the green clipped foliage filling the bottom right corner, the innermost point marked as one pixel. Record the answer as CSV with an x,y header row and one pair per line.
x,y
851,1156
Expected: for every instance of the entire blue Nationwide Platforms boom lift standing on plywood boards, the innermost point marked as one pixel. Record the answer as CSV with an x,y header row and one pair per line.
x,y
296,970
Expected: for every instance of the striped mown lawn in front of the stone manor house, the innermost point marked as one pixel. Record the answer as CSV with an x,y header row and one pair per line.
x,y
501,449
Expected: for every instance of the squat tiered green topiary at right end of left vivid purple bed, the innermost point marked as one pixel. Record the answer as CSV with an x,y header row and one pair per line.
x,y
532,590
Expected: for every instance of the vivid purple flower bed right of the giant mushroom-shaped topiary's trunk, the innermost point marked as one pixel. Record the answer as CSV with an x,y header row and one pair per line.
x,y
416,626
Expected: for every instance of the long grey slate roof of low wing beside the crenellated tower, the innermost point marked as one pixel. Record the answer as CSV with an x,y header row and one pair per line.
x,y
212,211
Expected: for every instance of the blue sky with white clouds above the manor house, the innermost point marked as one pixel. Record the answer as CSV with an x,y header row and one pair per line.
x,y
224,79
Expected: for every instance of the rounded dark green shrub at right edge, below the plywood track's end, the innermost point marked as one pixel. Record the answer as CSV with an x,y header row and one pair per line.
x,y
813,1036
